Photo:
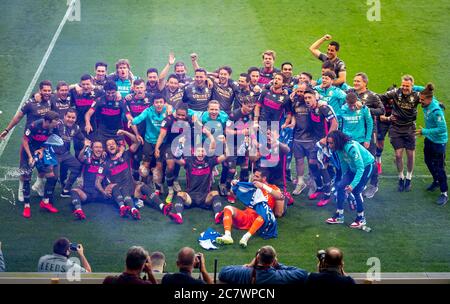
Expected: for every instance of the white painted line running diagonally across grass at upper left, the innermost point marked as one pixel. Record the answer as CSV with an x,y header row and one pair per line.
x,y
39,71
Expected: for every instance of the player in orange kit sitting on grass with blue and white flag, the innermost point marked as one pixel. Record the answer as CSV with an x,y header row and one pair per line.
x,y
261,199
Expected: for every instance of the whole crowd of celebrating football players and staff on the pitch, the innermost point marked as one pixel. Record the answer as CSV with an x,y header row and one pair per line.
x,y
119,138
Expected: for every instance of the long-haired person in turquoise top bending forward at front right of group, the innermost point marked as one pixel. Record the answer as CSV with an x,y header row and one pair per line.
x,y
356,166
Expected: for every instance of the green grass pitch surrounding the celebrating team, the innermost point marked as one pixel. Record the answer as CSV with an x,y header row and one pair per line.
x,y
411,38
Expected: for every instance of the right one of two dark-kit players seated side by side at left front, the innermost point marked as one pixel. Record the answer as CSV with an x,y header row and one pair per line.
x,y
117,170
